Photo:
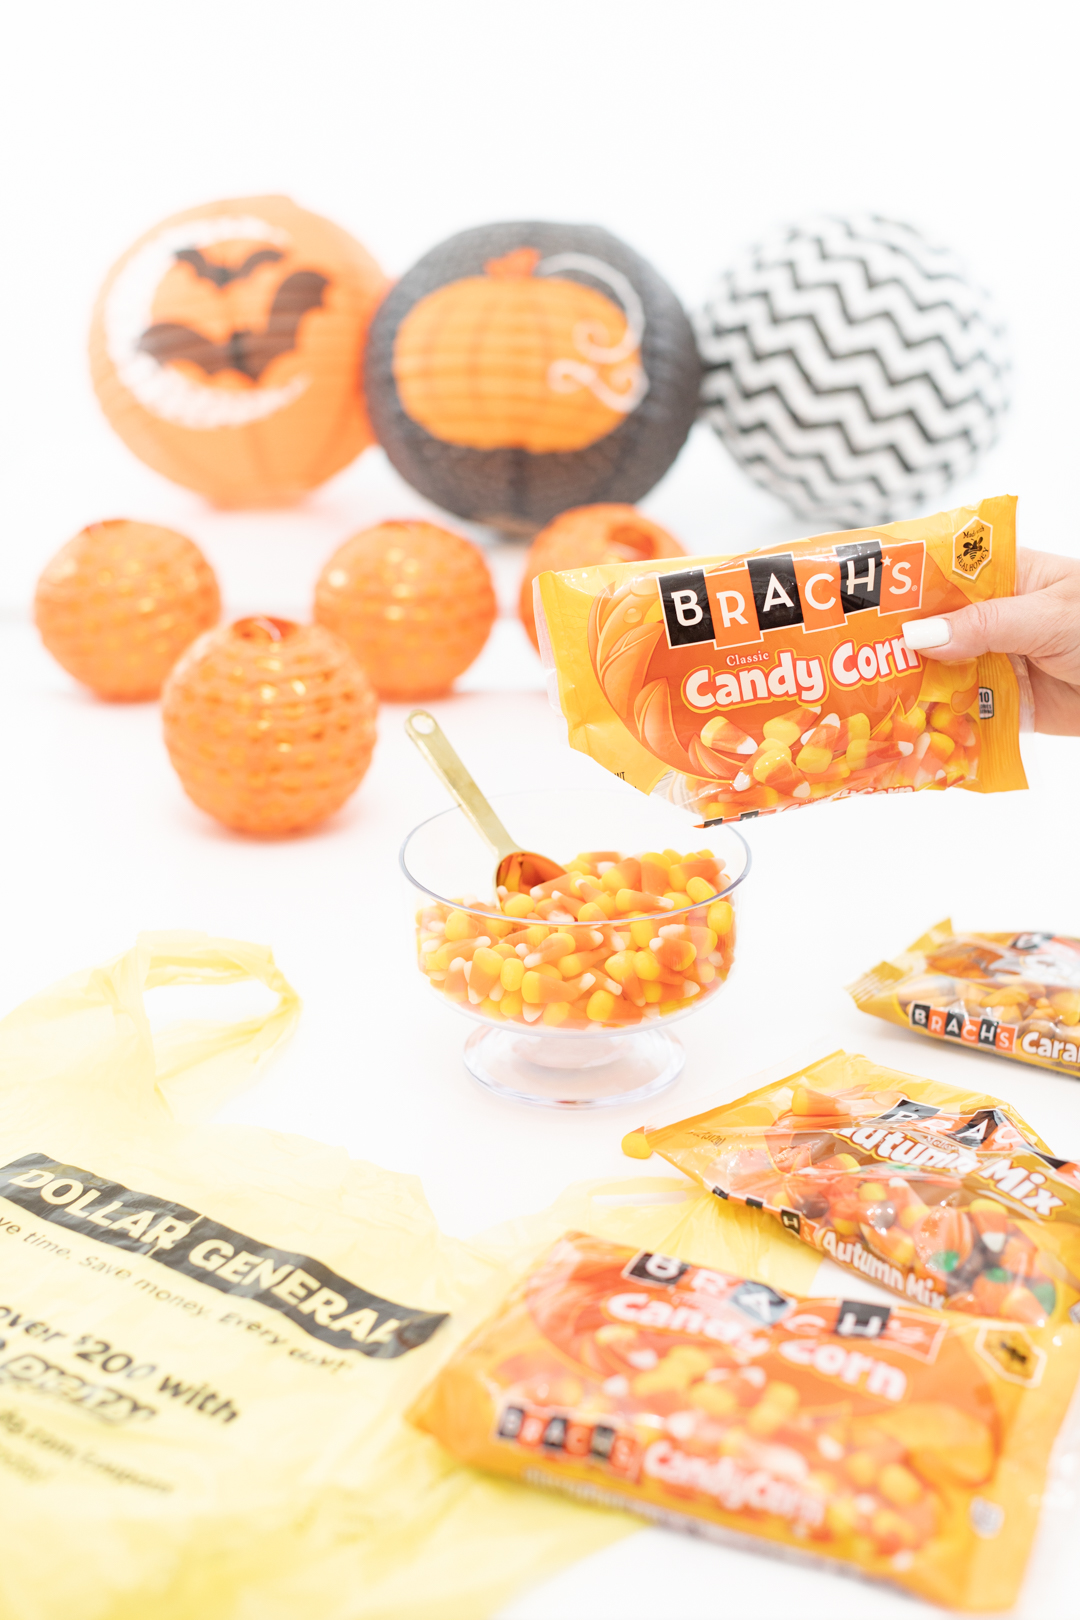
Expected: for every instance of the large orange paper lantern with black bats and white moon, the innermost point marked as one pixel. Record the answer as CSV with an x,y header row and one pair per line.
x,y
227,347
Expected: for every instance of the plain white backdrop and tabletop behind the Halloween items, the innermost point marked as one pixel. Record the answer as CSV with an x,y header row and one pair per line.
x,y
687,129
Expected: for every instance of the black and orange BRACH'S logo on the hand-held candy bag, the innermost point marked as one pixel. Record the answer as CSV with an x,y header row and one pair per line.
x,y
741,602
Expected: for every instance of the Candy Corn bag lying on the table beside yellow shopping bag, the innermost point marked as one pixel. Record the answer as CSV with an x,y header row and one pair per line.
x,y
898,1441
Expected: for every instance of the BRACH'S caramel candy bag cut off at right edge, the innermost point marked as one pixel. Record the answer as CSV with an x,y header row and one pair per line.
x,y
1014,994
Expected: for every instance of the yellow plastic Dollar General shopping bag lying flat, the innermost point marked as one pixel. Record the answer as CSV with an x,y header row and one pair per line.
x,y
210,1334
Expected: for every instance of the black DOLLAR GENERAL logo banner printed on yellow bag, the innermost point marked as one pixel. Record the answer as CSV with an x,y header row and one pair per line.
x,y
299,1287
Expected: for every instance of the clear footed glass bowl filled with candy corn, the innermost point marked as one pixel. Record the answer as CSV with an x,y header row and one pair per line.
x,y
574,987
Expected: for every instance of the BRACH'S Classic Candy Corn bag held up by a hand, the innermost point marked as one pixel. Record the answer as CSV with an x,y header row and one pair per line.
x,y
744,684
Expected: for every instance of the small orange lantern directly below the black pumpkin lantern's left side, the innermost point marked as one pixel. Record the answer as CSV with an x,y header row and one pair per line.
x,y
414,602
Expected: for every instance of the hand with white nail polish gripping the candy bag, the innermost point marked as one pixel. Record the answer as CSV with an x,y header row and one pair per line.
x,y
1042,623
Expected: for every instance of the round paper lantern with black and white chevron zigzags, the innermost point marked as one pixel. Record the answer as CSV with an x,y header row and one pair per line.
x,y
853,369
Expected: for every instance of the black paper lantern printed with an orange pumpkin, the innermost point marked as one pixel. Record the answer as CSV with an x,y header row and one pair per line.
x,y
524,369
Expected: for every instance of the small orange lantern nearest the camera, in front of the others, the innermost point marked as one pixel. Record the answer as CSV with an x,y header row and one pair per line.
x,y
270,725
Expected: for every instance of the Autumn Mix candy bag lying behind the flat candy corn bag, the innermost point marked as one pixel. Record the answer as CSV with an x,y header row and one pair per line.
x,y
946,1198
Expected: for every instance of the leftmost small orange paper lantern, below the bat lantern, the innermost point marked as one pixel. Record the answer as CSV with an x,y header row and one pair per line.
x,y
121,603
